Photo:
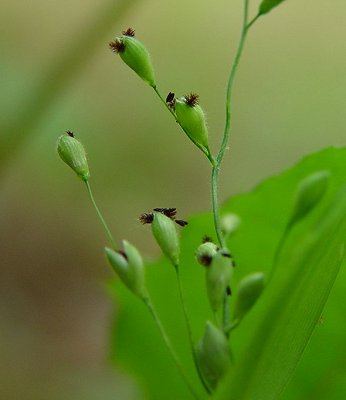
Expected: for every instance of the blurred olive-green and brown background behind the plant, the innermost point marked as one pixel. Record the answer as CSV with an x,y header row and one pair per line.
x,y
57,74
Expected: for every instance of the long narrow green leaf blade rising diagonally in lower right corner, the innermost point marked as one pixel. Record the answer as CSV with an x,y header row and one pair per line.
x,y
291,308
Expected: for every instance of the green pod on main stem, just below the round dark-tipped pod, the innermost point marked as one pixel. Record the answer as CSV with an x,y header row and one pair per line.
x,y
218,276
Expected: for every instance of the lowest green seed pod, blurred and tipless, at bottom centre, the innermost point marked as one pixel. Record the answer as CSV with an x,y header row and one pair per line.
x,y
213,355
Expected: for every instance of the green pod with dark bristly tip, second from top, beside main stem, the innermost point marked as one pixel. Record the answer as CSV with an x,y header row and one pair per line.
x,y
192,119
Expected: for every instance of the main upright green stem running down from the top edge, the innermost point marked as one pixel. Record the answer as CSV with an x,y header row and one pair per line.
x,y
226,136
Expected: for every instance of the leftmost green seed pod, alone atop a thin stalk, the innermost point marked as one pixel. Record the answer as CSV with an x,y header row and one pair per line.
x,y
72,152
